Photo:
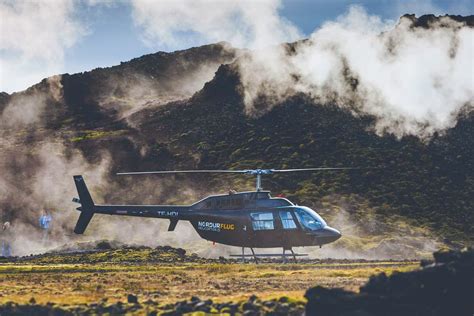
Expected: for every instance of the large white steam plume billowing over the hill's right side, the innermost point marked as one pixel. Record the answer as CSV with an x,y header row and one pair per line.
x,y
414,81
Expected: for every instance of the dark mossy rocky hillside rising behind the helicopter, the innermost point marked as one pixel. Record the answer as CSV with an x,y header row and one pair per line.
x,y
185,110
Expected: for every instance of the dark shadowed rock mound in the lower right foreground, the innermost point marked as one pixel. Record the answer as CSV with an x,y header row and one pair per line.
x,y
442,287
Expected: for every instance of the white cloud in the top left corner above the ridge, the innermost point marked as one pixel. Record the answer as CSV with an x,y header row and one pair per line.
x,y
34,36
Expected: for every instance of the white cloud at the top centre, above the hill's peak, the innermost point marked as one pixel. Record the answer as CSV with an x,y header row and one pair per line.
x,y
181,24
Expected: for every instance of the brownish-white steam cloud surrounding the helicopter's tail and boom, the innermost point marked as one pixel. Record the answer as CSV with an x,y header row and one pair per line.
x,y
36,168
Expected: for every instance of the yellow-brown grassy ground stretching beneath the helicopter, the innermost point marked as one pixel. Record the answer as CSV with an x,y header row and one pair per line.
x,y
166,275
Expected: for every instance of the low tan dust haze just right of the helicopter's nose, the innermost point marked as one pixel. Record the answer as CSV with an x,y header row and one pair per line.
x,y
369,237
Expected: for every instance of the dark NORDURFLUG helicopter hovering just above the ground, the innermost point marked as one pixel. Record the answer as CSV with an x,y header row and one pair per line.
x,y
251,219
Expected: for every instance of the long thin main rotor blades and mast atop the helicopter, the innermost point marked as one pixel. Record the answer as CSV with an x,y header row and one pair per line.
x,y
257,172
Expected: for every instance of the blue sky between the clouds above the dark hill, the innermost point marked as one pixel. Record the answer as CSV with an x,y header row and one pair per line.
x,y
108,32
